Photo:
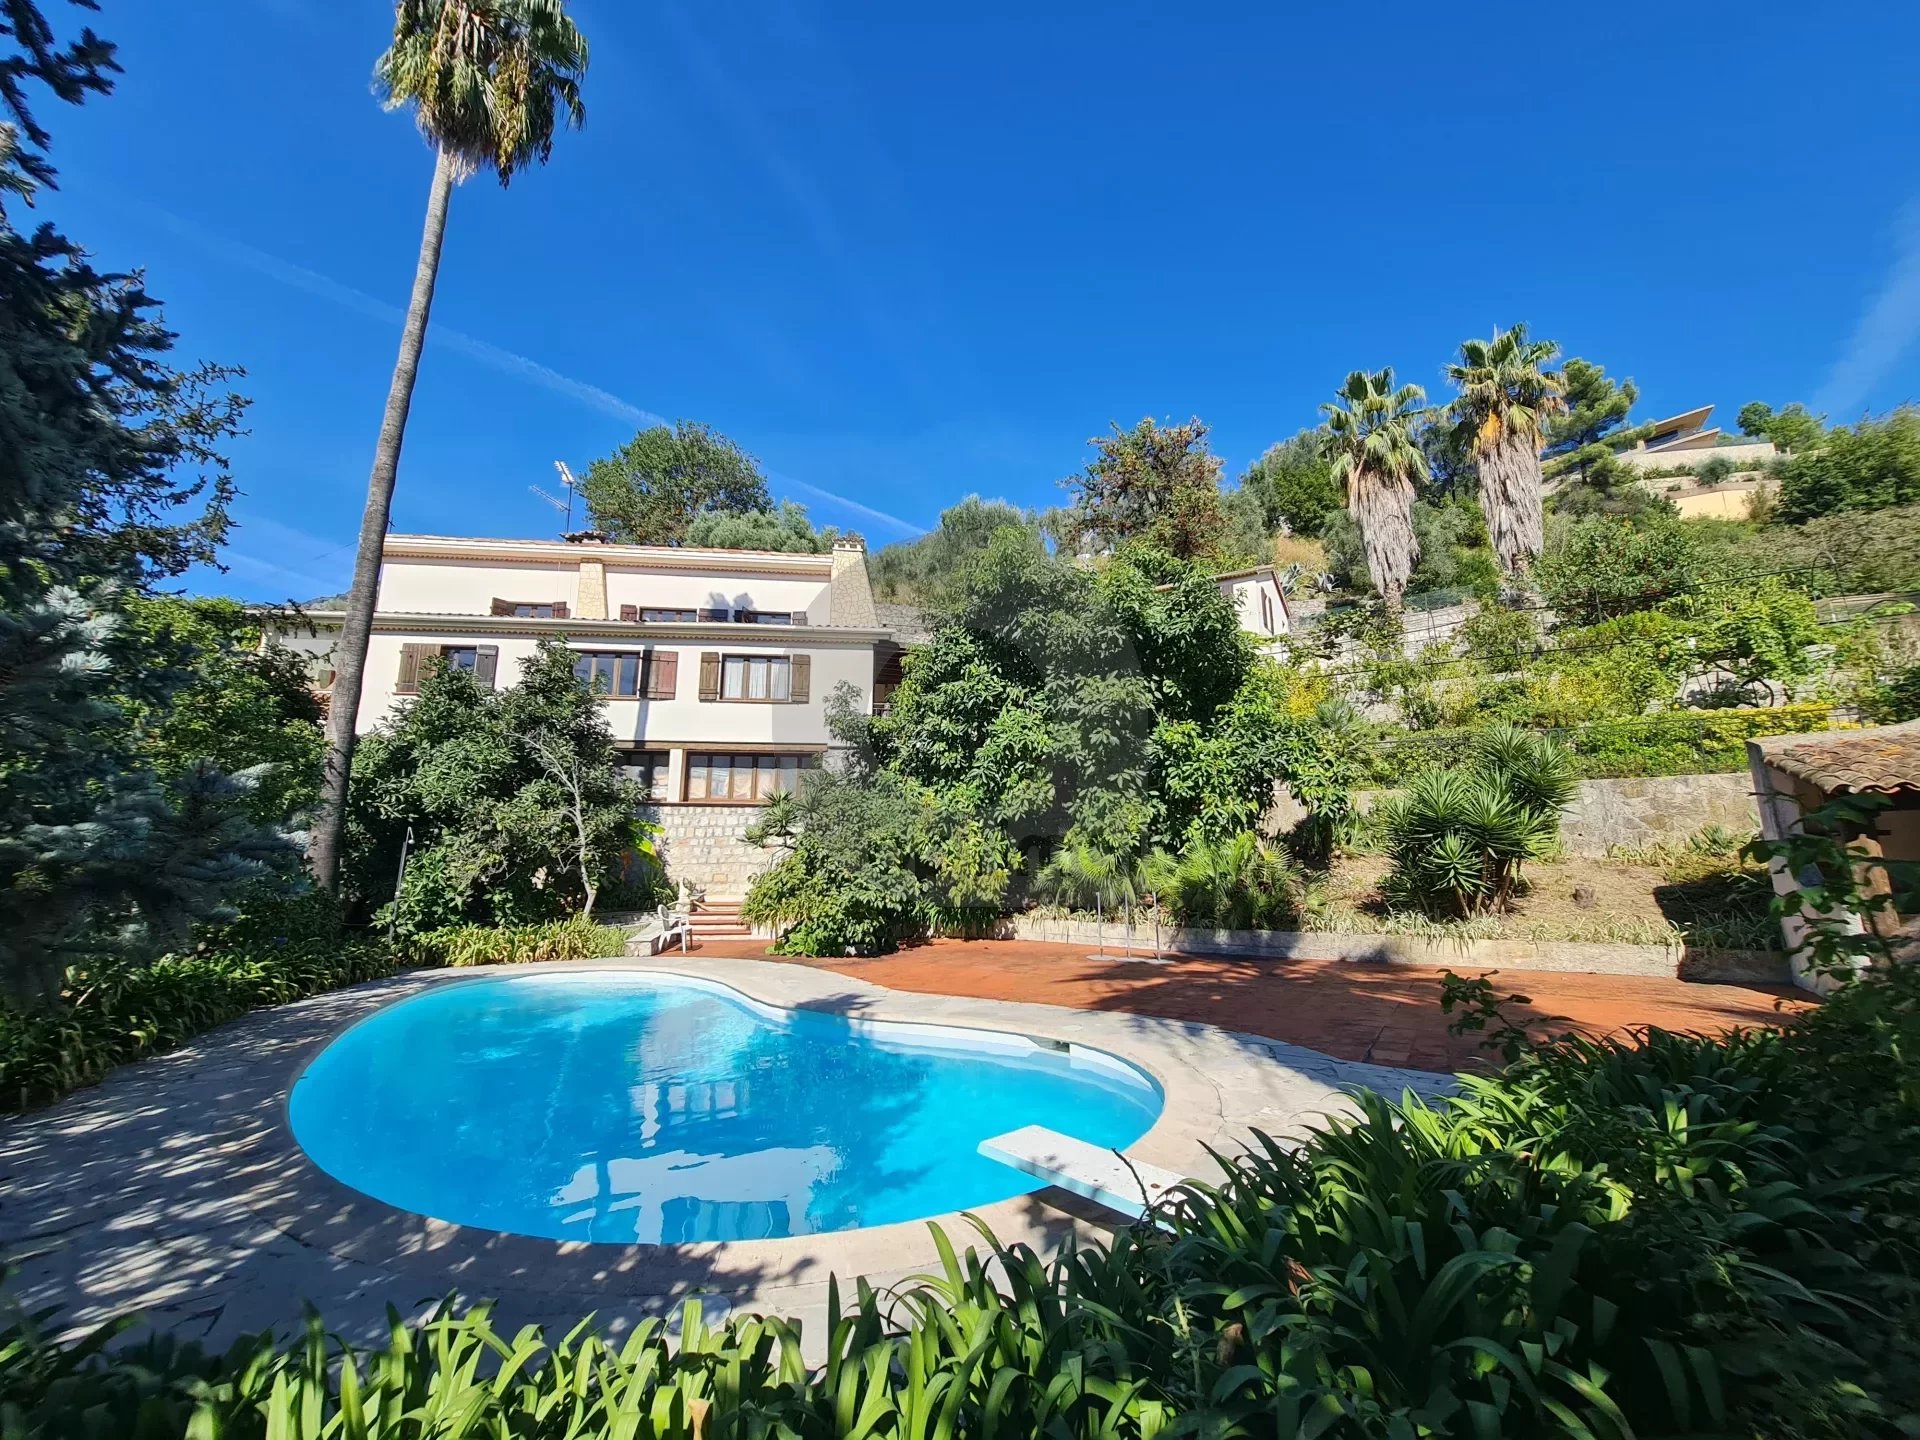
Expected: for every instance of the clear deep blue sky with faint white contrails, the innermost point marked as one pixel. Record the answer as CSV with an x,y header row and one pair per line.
x,y
905,254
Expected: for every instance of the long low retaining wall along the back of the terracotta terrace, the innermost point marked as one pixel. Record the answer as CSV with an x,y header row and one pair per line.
x,y
1575,957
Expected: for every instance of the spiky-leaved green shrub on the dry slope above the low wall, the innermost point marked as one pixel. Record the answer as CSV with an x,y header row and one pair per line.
x,y
1458,838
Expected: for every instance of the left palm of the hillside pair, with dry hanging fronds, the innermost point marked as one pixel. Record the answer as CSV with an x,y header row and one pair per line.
x,y
1378,460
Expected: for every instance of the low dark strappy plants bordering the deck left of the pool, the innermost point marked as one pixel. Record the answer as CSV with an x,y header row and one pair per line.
x,y
110,1017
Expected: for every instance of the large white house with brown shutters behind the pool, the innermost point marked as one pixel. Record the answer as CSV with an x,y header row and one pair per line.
x,y
715,663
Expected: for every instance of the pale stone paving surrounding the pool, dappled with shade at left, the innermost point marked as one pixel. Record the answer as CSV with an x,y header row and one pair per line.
x,y
176,1186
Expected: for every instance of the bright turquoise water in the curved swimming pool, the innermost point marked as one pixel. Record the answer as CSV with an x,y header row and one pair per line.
x,y
615,1107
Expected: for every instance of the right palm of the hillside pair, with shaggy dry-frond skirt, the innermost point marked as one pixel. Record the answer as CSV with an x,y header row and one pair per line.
x,y
1506,398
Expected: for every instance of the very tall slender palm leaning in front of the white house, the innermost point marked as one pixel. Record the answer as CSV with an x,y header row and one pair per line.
x,y
489,84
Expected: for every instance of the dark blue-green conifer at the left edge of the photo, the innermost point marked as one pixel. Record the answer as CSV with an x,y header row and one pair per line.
x,y
99,857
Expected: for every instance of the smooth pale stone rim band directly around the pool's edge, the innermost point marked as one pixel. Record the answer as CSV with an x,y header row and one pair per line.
x,y
304,1203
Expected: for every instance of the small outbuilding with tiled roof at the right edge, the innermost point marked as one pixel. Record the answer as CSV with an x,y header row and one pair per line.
x,y
1798,775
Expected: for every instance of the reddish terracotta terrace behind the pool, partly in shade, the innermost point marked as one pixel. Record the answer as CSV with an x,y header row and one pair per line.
x,y
1349,1009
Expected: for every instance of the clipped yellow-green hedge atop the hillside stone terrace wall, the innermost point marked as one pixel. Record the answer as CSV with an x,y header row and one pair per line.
x,y
1669,744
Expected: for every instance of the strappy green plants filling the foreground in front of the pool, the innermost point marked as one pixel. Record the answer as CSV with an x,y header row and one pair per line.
x,y
1648,1236
